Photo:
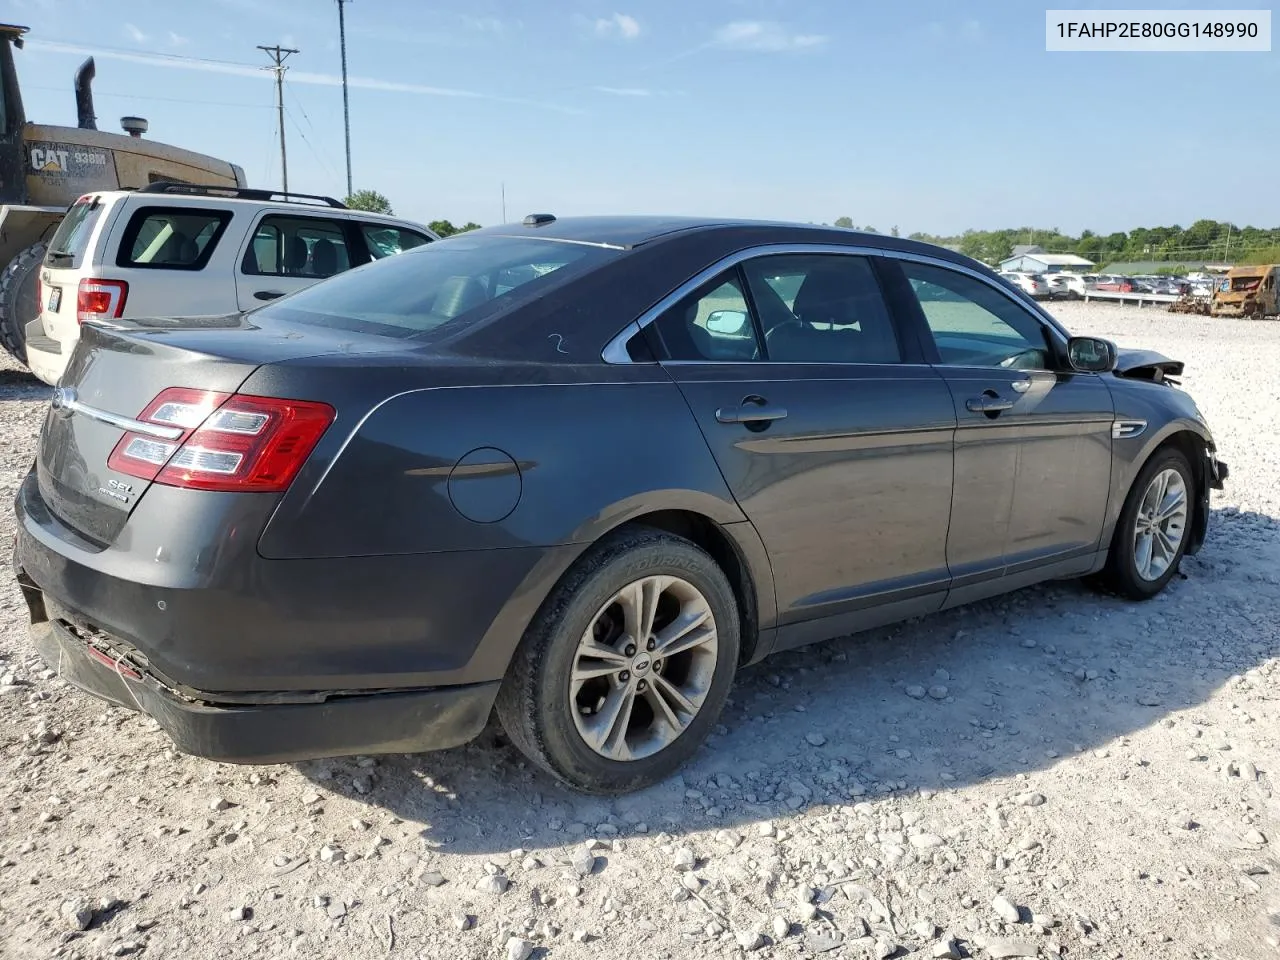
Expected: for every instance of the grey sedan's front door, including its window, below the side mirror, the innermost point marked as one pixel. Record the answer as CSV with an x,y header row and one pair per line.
x,y
1034,438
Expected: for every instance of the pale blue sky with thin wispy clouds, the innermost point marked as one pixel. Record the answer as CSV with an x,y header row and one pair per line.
x,y
926,115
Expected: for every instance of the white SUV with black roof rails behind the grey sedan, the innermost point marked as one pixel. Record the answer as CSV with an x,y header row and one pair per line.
x,y
177,250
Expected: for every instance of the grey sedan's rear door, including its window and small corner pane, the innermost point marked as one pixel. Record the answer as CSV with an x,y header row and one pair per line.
x,y
835,440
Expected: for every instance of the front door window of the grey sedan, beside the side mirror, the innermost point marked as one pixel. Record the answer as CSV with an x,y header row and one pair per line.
x,y
973,324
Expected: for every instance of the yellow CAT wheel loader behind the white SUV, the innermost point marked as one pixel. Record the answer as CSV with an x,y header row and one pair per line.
x,y
44,170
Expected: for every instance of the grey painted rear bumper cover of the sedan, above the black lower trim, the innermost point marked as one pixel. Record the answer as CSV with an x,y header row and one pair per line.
x,y
188,598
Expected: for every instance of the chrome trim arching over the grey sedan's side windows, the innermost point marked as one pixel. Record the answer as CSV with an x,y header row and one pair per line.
x,y
616,350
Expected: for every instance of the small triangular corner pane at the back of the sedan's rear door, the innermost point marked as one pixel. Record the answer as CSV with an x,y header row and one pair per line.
x,y
714,323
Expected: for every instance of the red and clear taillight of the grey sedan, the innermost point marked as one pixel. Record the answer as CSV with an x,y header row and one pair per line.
x,y
226,442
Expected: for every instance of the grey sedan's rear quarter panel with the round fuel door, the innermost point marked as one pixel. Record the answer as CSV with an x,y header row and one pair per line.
x,y
464,468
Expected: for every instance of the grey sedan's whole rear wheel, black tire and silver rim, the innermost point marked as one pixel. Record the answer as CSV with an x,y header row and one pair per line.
x,y
628,665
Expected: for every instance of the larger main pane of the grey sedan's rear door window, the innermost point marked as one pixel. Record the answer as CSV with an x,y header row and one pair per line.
x,y
821,309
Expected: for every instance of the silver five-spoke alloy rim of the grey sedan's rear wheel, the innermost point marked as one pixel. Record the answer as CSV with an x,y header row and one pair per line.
x,y
643,669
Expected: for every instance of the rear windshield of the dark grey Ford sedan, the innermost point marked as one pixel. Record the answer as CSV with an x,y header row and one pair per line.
x,y
446,282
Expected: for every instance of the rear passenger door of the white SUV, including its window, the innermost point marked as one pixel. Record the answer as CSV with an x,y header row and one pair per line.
x,y
287,253
